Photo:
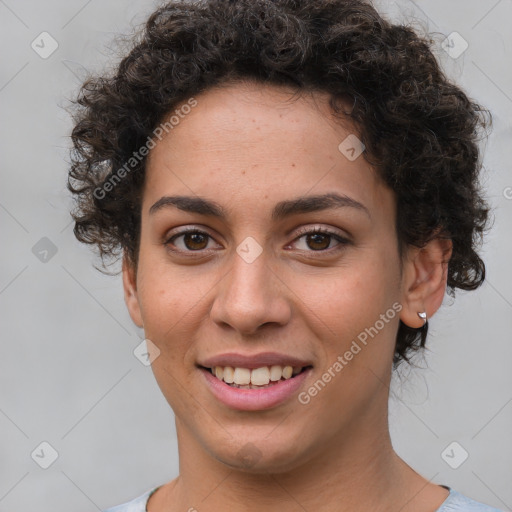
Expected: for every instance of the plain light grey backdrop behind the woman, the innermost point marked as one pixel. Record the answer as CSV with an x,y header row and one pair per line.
x,y
68,375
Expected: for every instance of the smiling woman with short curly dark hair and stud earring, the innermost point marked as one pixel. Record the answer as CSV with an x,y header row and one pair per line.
x,y
293,186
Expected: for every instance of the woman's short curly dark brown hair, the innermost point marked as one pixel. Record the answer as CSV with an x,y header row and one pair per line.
x,y
421,131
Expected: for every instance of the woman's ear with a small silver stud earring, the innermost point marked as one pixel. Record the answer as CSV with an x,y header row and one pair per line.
x,y
424,277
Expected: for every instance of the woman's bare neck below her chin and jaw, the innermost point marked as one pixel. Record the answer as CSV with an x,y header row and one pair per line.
x,y
358,470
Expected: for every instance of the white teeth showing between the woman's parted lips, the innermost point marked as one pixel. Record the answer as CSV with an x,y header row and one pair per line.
x,y
255,378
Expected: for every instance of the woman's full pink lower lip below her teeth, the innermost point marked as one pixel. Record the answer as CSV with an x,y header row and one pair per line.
x,y
254,399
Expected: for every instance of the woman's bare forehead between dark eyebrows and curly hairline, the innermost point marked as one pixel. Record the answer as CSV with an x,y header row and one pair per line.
x,y
248,142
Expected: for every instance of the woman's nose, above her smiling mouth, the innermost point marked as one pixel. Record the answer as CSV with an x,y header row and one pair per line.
x,y
249,296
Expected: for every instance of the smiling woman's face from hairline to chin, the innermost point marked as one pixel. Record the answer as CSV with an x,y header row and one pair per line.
x,y
267,278
